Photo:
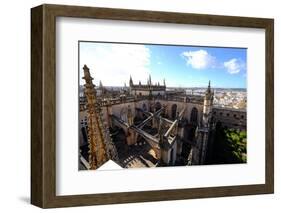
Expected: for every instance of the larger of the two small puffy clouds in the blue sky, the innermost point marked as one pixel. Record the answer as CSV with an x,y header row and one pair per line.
x,y
199,59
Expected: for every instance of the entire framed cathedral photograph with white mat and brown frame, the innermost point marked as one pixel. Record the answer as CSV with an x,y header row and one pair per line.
x,y
136,106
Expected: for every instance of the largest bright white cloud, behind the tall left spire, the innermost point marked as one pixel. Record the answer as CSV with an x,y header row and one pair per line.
x,y
114,63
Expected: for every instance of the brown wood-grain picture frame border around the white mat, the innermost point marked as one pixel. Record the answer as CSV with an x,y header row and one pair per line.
x,y
43,105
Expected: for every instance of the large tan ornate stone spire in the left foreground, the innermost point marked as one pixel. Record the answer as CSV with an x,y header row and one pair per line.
x,y
96,134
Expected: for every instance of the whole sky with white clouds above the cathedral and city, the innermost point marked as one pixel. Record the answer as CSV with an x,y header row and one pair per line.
x,y
180,66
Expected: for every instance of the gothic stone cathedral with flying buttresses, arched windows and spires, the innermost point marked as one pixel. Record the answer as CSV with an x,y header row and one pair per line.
x,y
145,125
